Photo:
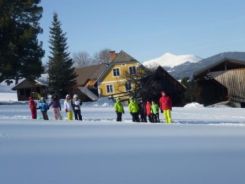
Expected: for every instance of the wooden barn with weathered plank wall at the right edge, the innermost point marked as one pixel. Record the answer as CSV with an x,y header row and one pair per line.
x,y
224,80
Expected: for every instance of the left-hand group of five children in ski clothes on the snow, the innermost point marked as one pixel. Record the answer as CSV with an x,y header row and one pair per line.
x,y
71,106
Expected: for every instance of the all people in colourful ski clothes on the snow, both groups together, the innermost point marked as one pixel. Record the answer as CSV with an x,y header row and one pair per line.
x,y
140,112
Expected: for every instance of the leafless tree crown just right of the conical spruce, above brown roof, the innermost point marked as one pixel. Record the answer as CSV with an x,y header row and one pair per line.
x,y
81,59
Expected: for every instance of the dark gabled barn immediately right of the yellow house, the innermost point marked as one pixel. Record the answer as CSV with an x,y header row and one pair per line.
x,y
161,80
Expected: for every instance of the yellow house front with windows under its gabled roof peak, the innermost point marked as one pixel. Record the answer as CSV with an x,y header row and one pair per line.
x,y
117,78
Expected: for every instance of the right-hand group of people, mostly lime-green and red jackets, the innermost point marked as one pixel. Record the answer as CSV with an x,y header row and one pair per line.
x,y
140,112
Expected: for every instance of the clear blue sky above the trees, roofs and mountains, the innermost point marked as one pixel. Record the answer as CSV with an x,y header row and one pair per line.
x,y
147,29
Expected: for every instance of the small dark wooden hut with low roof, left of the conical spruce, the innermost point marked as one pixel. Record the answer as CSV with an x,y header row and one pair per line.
x,y
28,88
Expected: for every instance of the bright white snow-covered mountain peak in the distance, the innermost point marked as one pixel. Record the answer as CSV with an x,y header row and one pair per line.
x,y
170,60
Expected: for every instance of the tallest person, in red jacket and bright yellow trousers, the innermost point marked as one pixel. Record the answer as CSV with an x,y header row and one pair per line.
x,y
166,106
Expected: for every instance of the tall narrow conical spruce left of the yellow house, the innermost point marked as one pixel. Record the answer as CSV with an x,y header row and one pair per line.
x,y
62,77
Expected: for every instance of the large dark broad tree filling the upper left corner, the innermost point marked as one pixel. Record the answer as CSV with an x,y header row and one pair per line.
x,y
20,50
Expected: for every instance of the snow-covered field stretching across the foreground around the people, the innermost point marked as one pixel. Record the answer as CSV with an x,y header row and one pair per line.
x,y
204,145
